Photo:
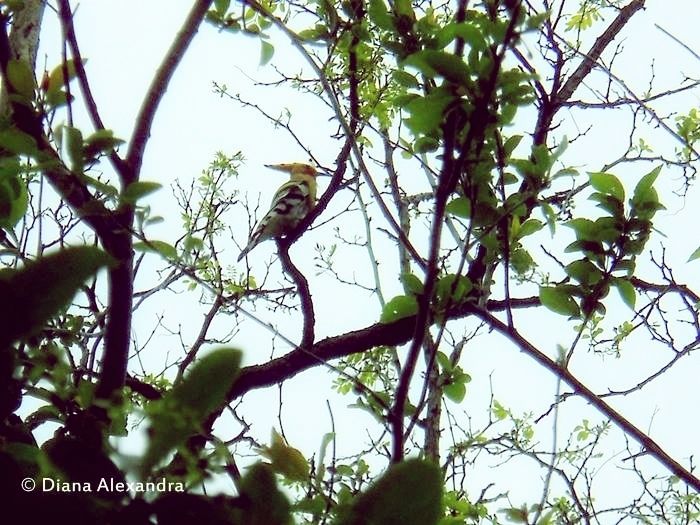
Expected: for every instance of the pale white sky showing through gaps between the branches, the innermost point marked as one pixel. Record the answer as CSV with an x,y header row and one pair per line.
x,y
124,41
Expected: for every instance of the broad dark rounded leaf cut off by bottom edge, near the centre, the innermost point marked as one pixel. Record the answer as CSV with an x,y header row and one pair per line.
x,y
409,493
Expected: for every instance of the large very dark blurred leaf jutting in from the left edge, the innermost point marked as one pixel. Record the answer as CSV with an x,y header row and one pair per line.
x,y
37,292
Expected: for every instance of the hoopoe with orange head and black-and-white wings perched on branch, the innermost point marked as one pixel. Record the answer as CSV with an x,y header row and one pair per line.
x,y
290,204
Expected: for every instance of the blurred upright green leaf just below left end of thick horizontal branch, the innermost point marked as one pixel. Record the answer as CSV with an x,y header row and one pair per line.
x,y
182,410
